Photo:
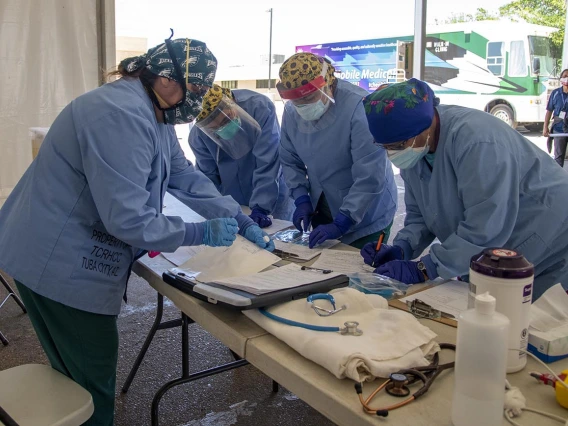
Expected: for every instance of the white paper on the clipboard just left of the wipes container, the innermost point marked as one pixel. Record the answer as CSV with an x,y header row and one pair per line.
x,y
449,297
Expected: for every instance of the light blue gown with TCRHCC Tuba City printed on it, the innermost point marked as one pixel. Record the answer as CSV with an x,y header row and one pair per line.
x,y
91,200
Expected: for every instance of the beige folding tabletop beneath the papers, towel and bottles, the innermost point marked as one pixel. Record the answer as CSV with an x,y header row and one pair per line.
x,y
334,398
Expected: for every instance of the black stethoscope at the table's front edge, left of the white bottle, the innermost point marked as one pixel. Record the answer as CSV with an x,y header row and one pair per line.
x,y
397,384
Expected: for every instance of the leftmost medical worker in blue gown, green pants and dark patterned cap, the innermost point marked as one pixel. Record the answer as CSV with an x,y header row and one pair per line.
x,y
91,203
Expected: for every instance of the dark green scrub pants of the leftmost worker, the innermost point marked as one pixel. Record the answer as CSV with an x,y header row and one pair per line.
x,y
79,344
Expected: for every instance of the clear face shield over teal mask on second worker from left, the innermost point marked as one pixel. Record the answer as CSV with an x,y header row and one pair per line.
x,y
231,127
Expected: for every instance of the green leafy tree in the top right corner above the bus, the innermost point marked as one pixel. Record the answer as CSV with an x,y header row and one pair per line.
x,y
551,13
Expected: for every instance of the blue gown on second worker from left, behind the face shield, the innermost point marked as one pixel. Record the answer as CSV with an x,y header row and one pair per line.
x,y
254,179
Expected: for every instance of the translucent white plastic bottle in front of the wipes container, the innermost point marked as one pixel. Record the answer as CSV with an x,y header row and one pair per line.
x,y
481,364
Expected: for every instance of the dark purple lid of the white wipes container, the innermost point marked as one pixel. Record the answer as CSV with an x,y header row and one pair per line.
x,y
502,263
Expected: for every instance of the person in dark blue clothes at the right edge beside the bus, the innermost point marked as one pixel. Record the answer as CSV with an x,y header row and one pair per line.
x,y
557,108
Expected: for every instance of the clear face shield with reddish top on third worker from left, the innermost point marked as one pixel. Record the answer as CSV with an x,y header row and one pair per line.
x,y
311,100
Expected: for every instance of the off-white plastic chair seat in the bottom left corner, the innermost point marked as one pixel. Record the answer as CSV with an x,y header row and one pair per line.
x,y
38,395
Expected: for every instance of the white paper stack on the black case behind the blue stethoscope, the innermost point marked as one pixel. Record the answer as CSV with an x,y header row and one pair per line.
x,y
288,276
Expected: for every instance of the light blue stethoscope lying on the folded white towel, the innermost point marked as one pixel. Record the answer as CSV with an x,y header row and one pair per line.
x,y
350,327
